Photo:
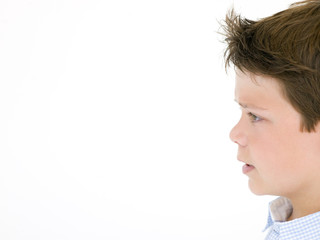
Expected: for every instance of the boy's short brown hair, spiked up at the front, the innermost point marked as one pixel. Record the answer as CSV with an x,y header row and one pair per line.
x,y
285,46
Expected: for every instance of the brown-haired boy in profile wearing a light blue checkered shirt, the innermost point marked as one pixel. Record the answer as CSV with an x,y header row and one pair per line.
x,y
277,64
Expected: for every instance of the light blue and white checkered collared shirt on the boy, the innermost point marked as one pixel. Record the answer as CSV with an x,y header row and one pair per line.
x,y
304,228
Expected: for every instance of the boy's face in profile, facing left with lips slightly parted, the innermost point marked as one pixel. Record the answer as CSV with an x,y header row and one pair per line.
x,y
284,161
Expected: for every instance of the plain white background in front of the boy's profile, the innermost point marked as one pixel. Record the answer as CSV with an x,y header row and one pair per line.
x,y
114,122
